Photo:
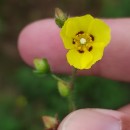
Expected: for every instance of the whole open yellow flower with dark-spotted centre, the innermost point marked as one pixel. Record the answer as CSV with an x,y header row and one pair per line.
x,y
85,37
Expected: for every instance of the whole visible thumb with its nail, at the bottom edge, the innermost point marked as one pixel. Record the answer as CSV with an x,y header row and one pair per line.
x,y
96,119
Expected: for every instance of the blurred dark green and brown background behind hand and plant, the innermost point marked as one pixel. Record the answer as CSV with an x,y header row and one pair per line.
x,y
25,97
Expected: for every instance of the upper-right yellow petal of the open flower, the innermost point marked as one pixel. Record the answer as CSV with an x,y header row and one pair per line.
x,y
101,31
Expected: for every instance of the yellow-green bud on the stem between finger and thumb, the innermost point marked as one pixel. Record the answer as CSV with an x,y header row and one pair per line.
x,y
63,88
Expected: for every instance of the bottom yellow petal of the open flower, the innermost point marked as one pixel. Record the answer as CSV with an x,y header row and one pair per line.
x,y
79,60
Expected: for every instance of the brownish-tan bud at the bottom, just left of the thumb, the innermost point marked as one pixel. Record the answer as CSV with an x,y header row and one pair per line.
x,y
50,122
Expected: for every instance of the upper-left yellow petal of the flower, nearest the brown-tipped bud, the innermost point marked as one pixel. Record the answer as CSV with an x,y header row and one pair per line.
x,y
72,26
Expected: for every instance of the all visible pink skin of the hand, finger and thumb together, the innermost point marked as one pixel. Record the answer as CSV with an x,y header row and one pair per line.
x,y
41,39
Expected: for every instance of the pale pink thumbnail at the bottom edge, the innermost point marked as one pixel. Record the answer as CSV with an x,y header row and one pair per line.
x,y
87,119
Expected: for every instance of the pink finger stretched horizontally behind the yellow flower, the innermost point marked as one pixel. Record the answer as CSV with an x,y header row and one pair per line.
x,y
41,39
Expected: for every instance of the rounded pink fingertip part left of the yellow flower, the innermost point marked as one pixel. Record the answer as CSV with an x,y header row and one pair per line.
x,y
41,39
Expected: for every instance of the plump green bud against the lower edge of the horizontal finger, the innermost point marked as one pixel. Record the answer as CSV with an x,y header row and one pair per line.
x,y
41,66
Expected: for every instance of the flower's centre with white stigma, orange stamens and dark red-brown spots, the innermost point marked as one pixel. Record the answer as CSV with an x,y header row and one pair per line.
x,y
83,42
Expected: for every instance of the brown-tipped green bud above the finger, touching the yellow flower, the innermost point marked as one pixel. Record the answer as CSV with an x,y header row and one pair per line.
x,y
60,17
